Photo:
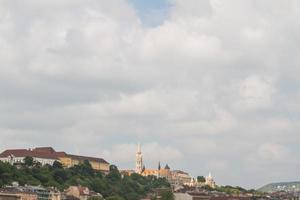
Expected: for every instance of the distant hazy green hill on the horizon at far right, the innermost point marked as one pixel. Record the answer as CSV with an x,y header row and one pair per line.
x,y
286,186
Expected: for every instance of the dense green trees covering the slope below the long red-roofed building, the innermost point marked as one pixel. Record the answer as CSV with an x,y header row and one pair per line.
x,y
112,186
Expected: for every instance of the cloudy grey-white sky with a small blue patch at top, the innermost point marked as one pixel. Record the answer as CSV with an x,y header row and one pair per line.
x,y
205,86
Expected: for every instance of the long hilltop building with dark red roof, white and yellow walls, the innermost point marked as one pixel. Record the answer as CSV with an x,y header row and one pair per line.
x,y
47,155
